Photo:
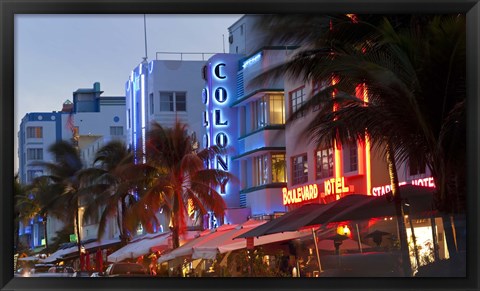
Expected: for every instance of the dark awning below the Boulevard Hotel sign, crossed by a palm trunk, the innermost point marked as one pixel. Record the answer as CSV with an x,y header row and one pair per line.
x,y
351,207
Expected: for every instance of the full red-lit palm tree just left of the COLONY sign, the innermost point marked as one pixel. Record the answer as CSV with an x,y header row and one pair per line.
x,y
176,173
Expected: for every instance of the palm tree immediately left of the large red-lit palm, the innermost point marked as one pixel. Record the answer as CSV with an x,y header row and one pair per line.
x,y
113,176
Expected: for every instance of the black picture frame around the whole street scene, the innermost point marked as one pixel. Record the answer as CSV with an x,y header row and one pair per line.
x,y
8,9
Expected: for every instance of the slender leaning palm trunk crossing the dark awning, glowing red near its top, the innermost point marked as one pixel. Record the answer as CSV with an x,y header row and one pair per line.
x,y
392,170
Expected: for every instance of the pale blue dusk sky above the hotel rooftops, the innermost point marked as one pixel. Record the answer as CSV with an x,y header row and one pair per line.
x,y
57,54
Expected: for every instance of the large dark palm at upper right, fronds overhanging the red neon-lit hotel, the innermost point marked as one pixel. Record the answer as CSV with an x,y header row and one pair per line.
x,y
407,114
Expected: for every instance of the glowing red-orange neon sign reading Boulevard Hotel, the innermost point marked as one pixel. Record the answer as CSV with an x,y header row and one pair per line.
x,y
334,186
